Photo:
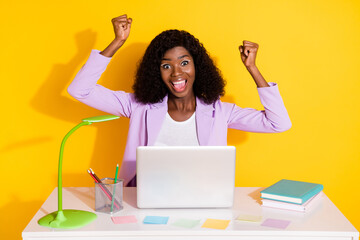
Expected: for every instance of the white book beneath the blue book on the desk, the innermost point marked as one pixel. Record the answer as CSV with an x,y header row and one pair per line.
x,y
290,206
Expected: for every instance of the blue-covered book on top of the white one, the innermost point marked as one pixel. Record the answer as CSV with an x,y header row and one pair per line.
x,y
291,191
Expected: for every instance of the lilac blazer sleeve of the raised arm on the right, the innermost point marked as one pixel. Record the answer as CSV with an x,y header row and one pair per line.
x,y
274,117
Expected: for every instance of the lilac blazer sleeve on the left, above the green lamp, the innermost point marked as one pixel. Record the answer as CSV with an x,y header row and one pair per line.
x,y
84,88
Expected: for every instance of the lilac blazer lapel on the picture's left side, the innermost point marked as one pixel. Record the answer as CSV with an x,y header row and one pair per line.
x,y
155,116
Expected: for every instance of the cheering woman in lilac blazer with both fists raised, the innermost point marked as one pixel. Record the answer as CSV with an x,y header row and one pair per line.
x,y
176,95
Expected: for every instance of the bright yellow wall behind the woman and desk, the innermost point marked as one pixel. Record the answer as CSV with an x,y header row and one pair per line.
x,y
310,48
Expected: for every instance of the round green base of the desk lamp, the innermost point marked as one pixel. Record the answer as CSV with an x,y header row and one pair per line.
x,y
67,219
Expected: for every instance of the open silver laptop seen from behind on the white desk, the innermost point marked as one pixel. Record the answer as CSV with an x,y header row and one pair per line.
x,y
185,176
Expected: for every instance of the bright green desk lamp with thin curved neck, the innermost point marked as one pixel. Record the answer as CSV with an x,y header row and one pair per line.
x,y
71,218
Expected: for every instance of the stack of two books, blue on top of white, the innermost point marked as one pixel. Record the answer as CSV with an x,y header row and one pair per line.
x,y
291,195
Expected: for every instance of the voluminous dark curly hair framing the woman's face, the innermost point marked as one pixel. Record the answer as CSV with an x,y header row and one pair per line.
x,y
148,86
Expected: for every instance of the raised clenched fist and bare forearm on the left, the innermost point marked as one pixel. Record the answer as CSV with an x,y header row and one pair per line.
x,y
122,25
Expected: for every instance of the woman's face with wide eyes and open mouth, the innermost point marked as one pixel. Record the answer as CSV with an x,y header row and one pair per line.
x,y
178,72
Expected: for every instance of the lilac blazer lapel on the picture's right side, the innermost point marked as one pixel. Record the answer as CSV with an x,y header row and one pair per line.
x,y
204,121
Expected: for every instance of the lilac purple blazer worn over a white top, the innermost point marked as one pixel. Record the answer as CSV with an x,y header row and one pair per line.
x,y
212,120
